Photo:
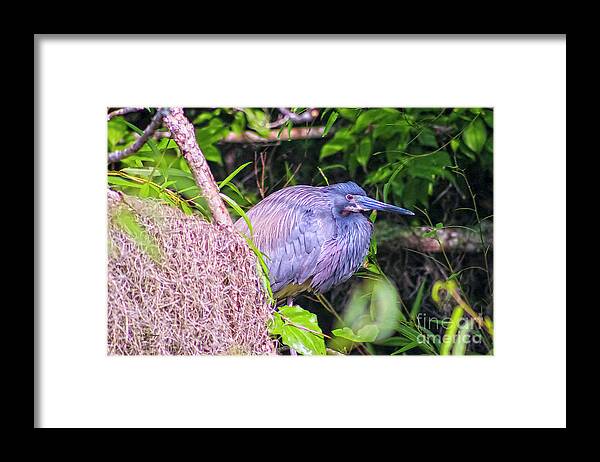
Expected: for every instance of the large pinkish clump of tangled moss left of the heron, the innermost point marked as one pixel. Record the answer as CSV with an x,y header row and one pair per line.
x,y
179,285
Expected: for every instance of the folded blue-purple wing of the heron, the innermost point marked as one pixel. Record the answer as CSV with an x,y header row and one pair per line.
x,y
291,229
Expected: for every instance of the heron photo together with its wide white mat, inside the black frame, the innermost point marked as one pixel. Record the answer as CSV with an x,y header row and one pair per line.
x,y
360,223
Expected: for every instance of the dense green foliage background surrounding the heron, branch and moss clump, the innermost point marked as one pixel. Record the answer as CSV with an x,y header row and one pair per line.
x,y
437,162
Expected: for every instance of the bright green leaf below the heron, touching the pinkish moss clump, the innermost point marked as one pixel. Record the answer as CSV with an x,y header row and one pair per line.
x,y
299,330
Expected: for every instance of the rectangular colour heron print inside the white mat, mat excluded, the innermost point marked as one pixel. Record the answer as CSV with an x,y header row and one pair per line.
x,y
249,231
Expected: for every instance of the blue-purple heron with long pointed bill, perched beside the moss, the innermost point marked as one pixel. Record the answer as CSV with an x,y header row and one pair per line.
x,y
314,237
